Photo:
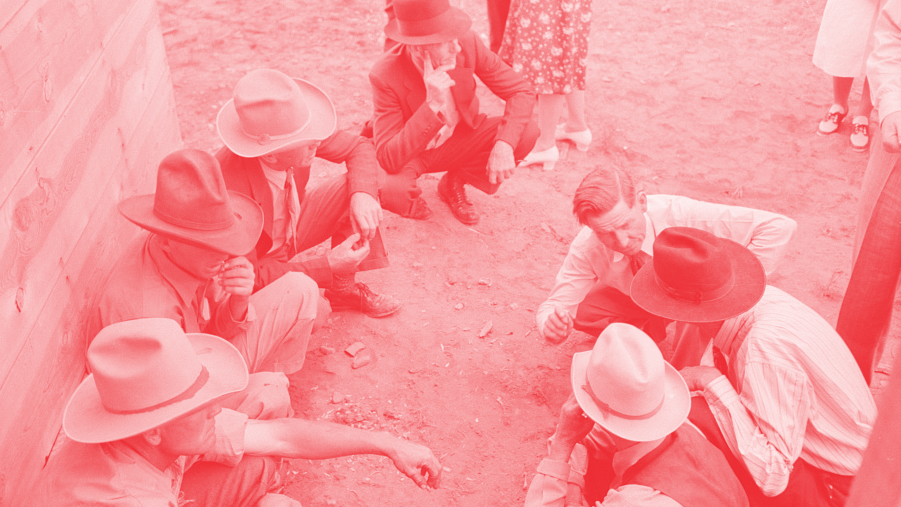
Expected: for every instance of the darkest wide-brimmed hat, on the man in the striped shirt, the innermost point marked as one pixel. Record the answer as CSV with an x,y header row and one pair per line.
x,y
695,276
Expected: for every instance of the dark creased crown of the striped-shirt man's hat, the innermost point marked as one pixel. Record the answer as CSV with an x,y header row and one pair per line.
x,y
691,264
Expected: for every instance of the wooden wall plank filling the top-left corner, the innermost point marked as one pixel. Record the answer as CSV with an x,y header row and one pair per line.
x,y
45,49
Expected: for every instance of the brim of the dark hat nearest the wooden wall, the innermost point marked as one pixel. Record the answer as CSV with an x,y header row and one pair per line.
x,y
238,239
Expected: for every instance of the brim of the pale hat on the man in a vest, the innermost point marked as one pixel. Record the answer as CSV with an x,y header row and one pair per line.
x,y
676,405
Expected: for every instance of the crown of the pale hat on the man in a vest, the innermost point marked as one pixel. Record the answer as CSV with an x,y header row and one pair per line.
x,y
626,372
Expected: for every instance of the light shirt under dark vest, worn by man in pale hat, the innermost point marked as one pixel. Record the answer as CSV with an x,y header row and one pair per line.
x,y
550,485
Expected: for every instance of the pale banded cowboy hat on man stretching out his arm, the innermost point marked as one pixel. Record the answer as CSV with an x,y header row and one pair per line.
x,y
147,372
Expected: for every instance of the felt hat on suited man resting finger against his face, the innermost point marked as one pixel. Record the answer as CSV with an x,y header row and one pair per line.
x,y
426,22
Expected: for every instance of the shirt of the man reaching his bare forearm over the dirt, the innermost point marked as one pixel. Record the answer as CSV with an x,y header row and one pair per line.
x,y
113,474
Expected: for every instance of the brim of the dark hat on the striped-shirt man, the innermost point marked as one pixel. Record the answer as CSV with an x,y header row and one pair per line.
x,y
750,282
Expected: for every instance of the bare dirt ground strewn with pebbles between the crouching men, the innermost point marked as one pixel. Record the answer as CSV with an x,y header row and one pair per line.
x,y
713,99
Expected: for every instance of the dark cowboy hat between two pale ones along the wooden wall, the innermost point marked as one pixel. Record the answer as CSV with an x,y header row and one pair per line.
x,y
192,205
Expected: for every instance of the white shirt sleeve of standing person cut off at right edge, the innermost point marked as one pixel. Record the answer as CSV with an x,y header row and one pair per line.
x,y
884,63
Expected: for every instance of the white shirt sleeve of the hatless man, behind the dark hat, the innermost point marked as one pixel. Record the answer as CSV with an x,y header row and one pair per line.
x,y
764,233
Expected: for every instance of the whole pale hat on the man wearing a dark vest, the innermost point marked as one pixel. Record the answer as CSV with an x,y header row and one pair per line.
x,y
624,385
